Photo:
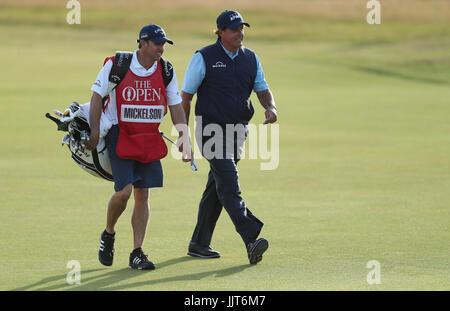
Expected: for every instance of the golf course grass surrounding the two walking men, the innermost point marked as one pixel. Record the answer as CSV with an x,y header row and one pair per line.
x,y
364,171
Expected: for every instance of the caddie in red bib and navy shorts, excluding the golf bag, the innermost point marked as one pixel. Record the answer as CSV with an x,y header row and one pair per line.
x,y
136,108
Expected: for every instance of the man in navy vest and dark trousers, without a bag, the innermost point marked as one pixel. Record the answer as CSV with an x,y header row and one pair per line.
x,y
223,75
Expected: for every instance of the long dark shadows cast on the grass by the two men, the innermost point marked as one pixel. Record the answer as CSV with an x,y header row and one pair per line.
x,y
106,281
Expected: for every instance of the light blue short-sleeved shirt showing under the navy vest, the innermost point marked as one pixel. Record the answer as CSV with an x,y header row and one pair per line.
x,y
196,70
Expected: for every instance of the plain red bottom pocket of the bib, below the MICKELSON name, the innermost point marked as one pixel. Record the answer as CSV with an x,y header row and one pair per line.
x,y
142,147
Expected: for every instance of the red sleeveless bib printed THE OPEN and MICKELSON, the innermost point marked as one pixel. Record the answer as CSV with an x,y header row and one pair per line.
x,y
141,106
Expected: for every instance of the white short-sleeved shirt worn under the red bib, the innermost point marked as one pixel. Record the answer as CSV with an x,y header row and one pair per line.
x,y
101,85
